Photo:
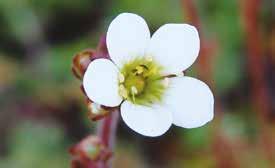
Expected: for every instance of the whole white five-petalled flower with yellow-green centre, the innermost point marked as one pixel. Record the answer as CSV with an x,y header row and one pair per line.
x,y
136,78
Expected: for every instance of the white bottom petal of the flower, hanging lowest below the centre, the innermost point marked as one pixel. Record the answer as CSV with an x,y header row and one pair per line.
x,y
149,121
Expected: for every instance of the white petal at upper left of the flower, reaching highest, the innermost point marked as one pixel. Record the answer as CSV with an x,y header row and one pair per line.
x,y
127,37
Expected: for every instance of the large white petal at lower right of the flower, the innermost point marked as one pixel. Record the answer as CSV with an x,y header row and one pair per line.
x,y
191,102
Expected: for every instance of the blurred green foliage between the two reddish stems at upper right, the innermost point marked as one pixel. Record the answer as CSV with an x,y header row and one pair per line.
x,y
222,22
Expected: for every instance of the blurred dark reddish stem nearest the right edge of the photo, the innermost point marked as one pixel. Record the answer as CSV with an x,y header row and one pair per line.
x,y
260,98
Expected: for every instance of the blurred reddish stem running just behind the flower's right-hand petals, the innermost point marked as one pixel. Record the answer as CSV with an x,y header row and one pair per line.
x,y
205,66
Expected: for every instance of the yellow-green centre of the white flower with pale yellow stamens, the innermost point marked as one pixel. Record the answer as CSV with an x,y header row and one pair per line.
x,y
141,81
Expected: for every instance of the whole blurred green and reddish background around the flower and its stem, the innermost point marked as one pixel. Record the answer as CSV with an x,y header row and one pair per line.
x,y
42,110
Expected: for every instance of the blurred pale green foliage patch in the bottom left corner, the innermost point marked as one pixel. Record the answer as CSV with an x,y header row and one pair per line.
x,y
36,145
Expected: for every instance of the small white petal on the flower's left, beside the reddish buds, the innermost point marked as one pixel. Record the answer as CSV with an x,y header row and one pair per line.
x,y
100,83
